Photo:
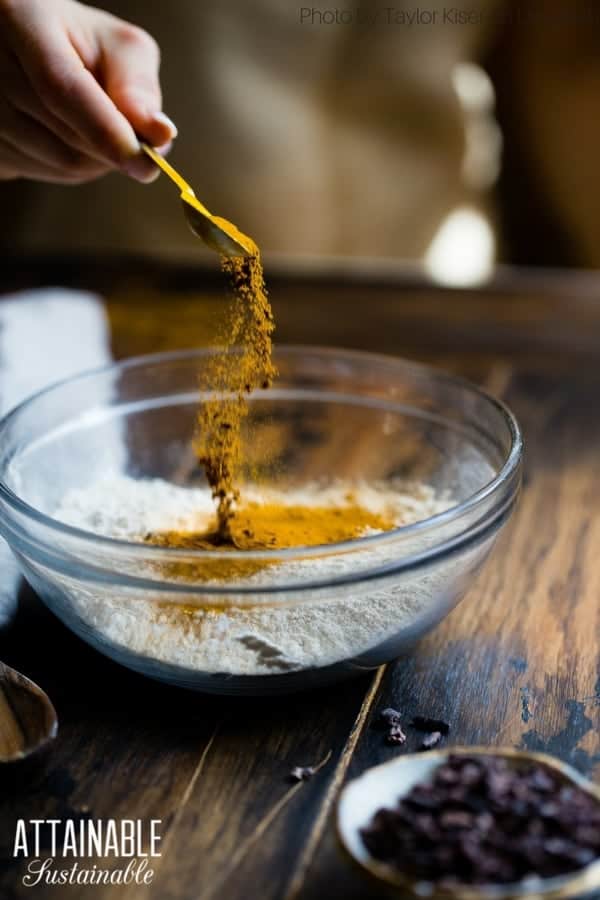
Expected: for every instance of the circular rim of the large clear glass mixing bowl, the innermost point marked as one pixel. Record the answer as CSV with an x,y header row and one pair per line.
x,y
508,470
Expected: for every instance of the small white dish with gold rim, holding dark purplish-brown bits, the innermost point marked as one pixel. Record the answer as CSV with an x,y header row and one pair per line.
x,y
382,786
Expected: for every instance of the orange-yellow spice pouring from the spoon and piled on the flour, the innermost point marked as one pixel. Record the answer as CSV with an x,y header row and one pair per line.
x,y
243,365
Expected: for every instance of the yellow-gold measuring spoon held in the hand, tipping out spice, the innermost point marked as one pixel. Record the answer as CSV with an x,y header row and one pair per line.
x,y
217,233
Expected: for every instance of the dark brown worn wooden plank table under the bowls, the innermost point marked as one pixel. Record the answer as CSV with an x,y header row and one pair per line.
x,y
517,663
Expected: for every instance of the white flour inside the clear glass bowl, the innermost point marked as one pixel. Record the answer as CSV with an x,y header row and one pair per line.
x,y
259,639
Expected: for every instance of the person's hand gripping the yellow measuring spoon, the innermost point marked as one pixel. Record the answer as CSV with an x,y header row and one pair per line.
x,y
76,86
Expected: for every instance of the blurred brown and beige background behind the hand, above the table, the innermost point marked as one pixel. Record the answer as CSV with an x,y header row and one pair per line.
x,y
359,135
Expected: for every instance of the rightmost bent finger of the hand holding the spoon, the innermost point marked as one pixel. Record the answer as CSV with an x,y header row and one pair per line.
x,y
130,65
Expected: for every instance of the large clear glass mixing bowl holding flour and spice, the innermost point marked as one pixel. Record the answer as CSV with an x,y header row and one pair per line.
x,y
322,613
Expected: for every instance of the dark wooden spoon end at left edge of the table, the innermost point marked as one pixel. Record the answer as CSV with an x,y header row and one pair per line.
x,y
28,720
